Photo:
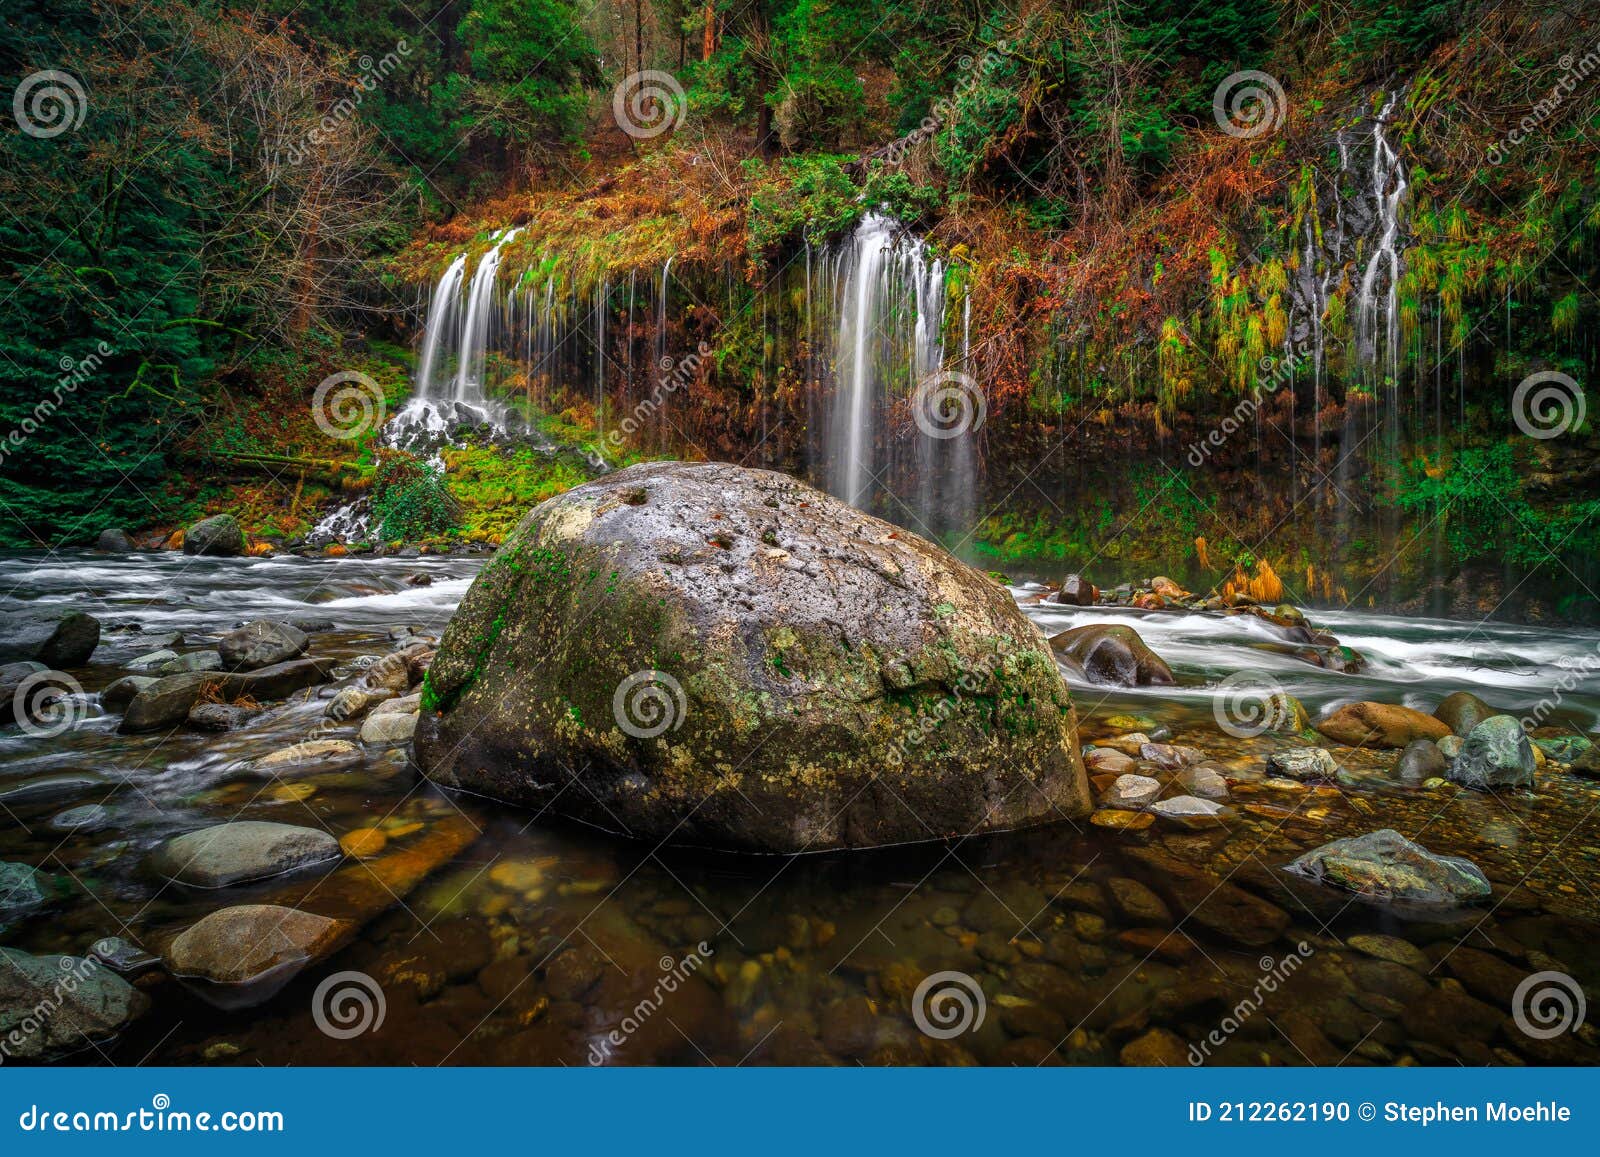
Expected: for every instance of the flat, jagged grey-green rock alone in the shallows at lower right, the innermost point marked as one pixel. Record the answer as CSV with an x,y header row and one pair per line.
x,y
1386,867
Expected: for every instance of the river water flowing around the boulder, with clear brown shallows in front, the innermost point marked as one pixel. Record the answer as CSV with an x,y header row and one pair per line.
x,y
537,942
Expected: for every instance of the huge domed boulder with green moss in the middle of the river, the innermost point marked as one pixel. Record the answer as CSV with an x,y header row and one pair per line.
x,y
727,657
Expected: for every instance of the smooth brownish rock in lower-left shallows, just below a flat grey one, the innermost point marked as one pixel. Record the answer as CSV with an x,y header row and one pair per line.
x,y
250,943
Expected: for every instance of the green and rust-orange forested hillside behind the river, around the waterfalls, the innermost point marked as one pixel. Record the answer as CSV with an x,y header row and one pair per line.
x,y
1142,215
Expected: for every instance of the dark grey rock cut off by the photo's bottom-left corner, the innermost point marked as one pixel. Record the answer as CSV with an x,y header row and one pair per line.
x,y
55,1006
